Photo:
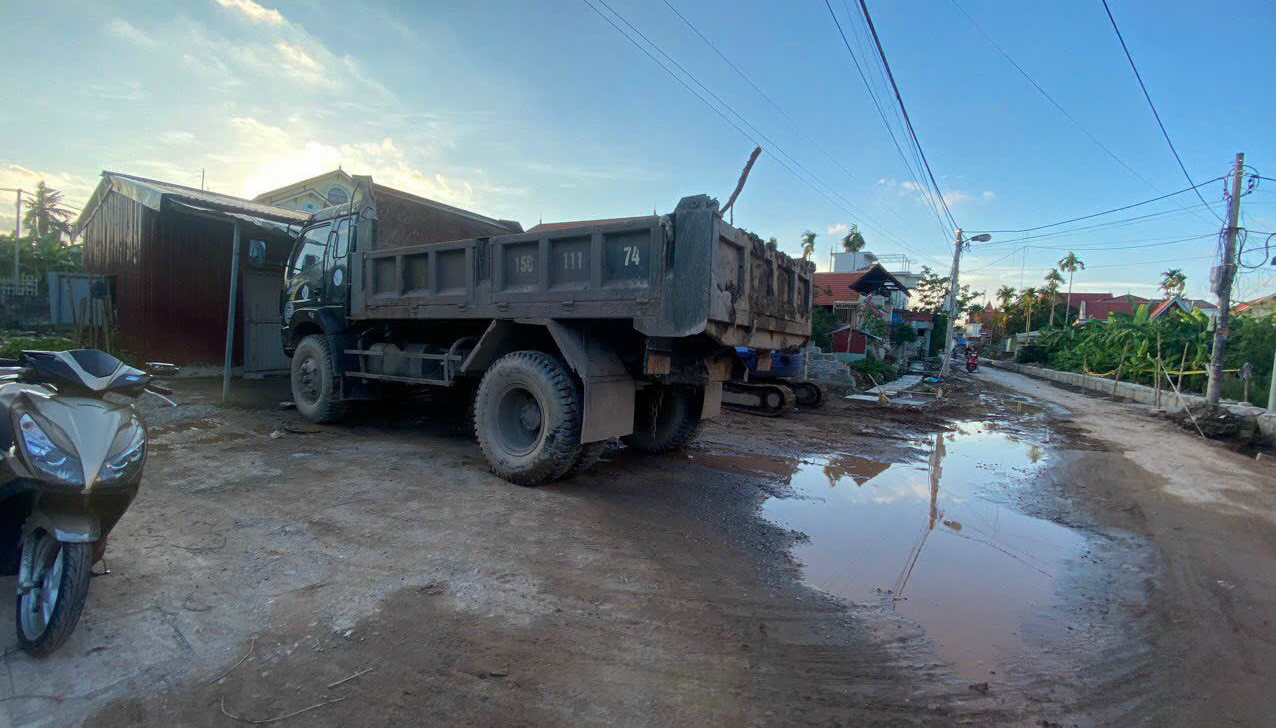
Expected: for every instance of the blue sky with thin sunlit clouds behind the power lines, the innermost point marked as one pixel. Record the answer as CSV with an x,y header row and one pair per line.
x,y
544,112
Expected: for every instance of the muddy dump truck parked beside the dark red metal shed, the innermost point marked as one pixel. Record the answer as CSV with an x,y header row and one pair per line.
x,y
556,341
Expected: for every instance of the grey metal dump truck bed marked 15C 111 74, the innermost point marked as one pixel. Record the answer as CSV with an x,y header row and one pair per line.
x,y
681,275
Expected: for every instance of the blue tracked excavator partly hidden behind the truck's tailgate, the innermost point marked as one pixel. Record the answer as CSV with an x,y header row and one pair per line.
x,y
765,383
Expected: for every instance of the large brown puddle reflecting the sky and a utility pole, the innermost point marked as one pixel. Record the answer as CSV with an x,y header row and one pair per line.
x,y
921,539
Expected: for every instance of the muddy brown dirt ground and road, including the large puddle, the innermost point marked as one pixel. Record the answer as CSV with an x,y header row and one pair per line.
x,y
375,574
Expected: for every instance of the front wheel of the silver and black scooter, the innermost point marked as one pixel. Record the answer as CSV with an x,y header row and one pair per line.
x,y
52,602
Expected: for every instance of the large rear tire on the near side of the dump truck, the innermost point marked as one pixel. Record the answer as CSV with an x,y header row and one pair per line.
x,y
528,419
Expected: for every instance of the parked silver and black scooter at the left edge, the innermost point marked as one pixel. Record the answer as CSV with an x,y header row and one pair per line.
x,y
71,463
